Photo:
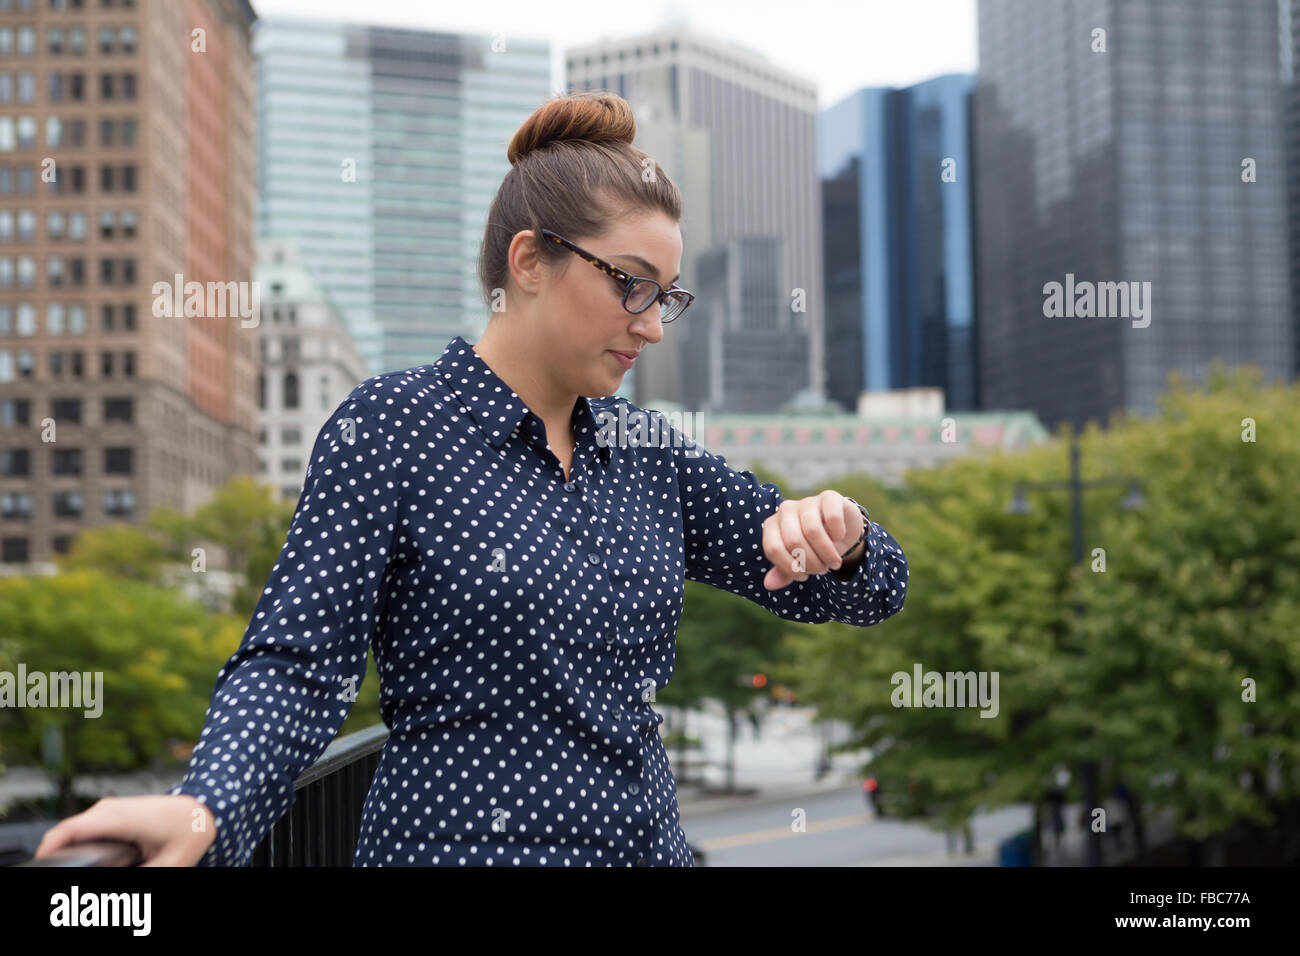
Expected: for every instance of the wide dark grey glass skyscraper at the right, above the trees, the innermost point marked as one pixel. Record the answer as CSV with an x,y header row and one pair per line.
x,y
1130,200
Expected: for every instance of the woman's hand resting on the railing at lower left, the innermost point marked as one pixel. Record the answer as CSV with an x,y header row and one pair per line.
x,y
171,830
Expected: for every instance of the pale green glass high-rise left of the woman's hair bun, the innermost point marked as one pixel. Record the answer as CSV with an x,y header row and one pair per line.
x,y
380,152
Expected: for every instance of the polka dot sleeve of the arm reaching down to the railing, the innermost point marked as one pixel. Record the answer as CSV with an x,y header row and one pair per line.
x,y
285,693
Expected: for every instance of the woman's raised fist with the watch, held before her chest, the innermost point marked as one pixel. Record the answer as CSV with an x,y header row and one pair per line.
x,y
808,537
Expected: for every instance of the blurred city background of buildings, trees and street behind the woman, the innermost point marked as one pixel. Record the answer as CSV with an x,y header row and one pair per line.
x,y
1019,275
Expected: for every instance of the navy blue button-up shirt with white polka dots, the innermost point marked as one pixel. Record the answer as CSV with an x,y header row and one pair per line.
x,y
521,625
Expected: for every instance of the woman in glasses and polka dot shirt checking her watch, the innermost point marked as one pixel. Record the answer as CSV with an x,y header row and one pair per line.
x,y
518,574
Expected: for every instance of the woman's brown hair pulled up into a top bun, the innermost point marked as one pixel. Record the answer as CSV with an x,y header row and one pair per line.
x,y
574,171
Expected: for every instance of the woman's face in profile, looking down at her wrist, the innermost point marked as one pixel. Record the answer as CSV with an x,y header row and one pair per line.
x,y
580,308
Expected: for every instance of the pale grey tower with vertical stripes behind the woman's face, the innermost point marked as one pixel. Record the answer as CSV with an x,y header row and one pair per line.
x,y
739,137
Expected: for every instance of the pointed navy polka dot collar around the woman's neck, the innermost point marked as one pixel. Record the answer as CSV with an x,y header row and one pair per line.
x,y
495,406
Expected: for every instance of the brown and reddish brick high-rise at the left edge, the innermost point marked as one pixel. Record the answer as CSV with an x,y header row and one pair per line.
x,y
125,162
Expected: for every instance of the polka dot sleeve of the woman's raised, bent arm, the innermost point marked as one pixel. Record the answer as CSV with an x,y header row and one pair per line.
x,y
723,514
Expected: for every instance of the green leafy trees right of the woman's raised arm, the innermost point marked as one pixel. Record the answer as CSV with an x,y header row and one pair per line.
x,y
1199,594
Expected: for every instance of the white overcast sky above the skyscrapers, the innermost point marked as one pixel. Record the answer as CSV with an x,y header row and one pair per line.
x,y
840,45
